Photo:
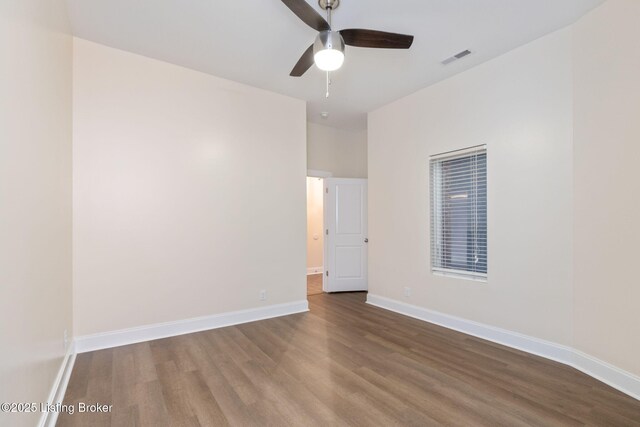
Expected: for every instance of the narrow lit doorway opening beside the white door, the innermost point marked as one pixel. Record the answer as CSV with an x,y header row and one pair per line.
x,y
315,234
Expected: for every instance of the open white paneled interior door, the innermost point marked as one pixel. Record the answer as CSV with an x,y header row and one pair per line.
x,y
345,214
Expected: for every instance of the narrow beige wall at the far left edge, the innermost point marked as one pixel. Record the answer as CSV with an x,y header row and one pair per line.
x,y
35,197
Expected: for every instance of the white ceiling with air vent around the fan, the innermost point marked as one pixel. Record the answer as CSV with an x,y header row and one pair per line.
x,y
257,42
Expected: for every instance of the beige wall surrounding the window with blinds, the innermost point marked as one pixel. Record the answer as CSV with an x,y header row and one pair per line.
x,y
520,105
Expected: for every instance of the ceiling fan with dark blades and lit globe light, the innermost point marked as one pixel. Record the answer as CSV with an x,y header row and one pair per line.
x,y
327,52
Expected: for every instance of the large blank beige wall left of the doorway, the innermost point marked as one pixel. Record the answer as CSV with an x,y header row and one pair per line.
x,y
189,193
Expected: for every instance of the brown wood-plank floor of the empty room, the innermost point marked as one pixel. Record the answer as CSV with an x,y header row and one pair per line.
x,y
343,363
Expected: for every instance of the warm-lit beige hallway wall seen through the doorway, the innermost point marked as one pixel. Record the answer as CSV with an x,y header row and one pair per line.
x,y
315,234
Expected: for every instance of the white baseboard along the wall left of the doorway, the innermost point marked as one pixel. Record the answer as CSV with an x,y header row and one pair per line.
x,y
169,329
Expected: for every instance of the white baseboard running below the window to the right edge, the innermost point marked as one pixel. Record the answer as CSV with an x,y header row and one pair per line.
x,y
617,378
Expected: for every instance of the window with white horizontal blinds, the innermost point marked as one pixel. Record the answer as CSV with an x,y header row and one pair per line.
x,y
459,213
